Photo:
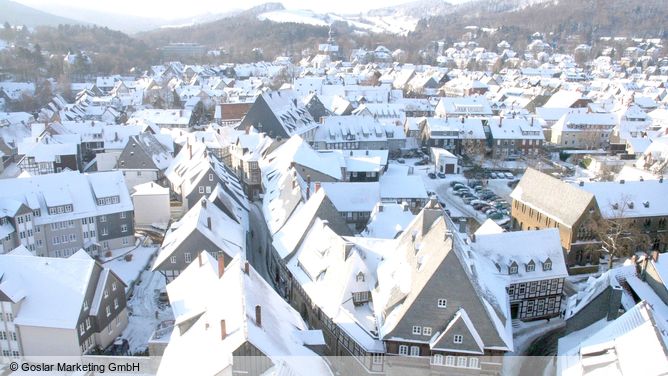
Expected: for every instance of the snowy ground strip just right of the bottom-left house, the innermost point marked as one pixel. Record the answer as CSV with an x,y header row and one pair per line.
x,y
145,311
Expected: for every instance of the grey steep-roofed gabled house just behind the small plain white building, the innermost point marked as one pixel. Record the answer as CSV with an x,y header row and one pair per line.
x,y
144,159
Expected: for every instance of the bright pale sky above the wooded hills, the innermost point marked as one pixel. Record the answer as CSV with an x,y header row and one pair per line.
x,y
173,9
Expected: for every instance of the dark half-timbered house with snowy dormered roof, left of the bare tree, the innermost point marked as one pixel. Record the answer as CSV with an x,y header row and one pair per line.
x,y
534,267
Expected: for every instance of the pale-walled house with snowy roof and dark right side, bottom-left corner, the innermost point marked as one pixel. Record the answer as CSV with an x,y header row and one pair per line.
x,y
92,307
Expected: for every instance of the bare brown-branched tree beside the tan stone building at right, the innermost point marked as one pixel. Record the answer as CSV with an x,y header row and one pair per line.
x,y
617,231
